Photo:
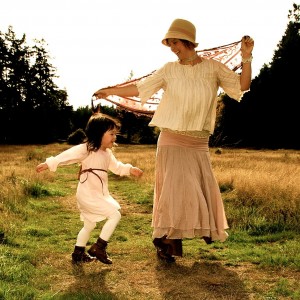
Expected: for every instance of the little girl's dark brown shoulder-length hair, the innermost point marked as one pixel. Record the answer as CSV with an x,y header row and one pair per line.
x,y
97,125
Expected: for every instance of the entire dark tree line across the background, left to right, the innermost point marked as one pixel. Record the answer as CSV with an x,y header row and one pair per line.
x,y
34,110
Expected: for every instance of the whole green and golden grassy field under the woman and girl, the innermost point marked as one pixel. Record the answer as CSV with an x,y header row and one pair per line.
x,y
39,223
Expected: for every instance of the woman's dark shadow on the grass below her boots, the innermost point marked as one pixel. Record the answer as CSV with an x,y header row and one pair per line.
x,y
203,280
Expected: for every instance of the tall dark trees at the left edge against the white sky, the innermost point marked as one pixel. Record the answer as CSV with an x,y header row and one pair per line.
x,y
32,108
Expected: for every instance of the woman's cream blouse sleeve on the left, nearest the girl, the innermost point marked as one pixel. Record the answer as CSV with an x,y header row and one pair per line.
x,y
150,85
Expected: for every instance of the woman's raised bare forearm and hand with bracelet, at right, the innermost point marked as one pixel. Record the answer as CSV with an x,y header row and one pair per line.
x,y
246,49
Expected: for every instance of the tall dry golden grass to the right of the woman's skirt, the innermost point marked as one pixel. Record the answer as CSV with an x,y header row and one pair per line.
x,y
271,175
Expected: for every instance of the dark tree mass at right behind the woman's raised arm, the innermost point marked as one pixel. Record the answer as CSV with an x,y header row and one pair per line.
x,y
268,115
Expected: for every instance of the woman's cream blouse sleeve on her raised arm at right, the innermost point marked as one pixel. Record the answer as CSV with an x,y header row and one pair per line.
x,y
229,81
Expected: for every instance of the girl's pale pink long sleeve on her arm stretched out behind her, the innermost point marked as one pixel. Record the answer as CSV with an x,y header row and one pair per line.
x,y
67,157
